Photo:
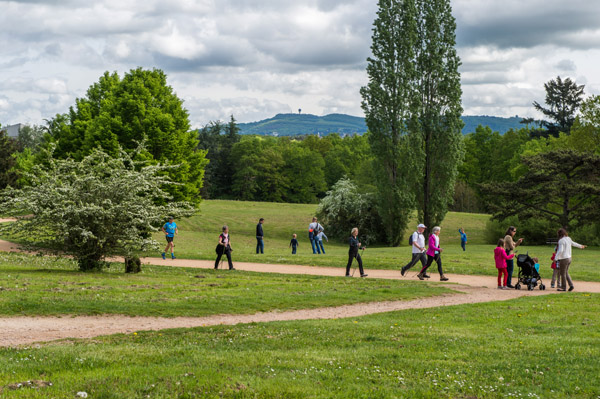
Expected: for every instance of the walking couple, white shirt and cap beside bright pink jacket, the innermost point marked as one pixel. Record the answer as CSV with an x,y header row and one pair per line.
x,y
425,255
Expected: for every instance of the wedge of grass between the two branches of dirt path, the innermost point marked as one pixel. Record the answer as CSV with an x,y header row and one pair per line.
x,y
35,285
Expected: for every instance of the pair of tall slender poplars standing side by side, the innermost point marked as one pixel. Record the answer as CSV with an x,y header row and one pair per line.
x,y
413,106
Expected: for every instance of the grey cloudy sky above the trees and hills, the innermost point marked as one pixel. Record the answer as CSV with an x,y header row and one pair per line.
x,y
256,58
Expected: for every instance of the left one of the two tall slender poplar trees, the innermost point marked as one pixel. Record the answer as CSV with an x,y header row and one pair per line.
x,y
390,106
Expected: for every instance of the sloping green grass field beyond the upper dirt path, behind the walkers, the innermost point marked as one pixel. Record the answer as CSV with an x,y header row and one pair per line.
x,y
198,237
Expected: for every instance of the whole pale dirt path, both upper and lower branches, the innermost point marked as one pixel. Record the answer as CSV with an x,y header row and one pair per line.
x,y
472,289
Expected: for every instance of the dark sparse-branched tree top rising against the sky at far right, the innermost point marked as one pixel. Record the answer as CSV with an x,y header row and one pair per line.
x,y
563,99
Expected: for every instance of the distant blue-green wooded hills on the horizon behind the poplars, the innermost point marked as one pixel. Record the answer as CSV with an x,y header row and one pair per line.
x,y
298,124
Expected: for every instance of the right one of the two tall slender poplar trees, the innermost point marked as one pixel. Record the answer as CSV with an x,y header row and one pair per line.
x,y
437,138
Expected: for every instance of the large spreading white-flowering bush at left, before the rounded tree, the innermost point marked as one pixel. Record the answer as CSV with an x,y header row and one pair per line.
x,y
102,206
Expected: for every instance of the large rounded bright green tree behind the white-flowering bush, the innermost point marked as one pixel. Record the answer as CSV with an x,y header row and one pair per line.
x,y
123,112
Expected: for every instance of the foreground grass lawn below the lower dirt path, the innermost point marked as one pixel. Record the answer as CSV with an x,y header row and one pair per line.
x,y
536,347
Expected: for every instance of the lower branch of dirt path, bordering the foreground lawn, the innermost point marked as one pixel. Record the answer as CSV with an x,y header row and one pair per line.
x,y
27,330
